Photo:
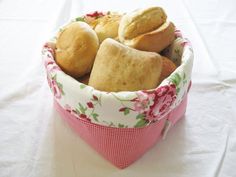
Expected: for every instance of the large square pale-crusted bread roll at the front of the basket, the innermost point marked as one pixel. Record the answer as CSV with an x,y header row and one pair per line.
x,y
120,68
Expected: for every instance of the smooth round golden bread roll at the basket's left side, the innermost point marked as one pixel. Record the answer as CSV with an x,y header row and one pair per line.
x,y
76,48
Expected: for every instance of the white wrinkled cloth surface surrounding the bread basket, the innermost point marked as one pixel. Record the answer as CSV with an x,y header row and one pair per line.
x,y
36,142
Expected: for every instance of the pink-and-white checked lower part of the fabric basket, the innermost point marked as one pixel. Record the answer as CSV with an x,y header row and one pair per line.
x,y
121,146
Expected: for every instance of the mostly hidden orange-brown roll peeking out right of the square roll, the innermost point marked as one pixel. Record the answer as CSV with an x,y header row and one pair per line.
x,y
167,68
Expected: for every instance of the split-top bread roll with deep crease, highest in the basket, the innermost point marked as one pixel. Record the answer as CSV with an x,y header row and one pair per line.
x,y
146,29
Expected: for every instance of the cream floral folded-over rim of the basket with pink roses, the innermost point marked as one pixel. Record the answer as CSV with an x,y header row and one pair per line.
x,y
122,109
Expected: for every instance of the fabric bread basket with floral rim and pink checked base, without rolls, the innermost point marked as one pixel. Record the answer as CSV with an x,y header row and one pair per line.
x,y
122,126
